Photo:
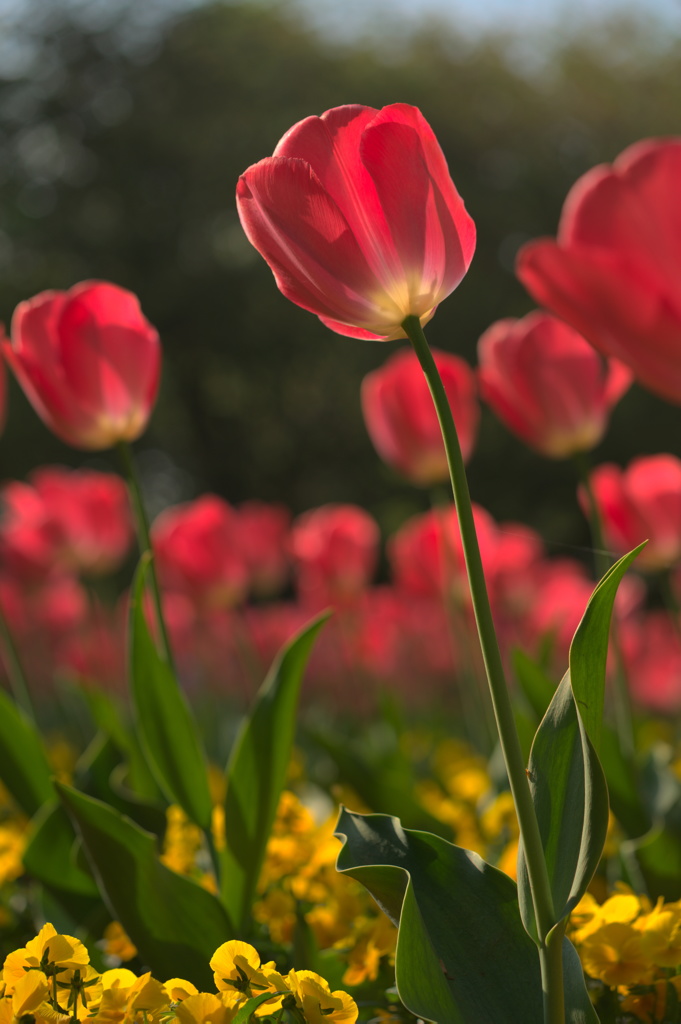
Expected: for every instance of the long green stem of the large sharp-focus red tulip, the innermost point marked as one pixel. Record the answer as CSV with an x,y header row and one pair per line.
x,y
516,767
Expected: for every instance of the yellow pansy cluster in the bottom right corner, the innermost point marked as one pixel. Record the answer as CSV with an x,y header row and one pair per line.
x,y
633,949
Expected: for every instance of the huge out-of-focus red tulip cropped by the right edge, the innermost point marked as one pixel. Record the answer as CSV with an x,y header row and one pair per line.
x,y
615,272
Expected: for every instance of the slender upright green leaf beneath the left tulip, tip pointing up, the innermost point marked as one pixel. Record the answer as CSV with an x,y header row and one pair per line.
x,y
166,728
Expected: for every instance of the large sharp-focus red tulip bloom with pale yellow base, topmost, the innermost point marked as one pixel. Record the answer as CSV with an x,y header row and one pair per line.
x,y
359,220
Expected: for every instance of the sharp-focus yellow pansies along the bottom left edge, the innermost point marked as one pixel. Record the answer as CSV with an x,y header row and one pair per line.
x,y
52,982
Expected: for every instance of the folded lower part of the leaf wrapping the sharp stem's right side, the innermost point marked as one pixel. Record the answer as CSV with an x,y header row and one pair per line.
x,y
571,800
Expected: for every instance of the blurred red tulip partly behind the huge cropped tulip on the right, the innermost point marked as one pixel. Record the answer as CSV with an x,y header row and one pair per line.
x,y
547,385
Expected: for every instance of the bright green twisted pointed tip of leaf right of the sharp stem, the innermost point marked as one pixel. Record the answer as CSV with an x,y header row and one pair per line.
x,y
588,653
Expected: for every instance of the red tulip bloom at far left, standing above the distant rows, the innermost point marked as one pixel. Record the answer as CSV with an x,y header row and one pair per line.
x,y
89,362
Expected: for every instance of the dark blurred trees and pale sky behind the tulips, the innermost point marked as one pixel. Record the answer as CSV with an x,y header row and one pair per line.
x,y
123,131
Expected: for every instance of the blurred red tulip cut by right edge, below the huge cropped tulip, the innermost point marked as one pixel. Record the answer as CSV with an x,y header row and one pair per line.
x,y
642,503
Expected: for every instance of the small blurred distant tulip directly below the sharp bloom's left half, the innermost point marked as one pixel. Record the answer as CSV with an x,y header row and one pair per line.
x,y
334,549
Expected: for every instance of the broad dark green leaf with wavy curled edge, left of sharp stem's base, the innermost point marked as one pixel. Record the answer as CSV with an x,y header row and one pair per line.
x,y
463,955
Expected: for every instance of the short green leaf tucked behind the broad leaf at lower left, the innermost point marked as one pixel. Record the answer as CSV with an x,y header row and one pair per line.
x,y
52,856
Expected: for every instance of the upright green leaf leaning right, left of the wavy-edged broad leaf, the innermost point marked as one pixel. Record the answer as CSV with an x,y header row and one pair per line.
x,y
257,774
